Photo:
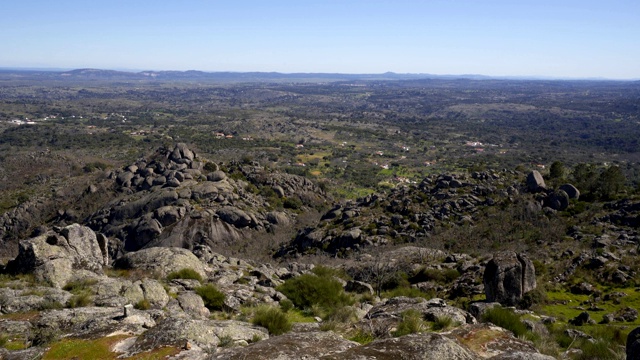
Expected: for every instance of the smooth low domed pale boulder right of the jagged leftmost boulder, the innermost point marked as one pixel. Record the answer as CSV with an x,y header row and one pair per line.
x,y
161,261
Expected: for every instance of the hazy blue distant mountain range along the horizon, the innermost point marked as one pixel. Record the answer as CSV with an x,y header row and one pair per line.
x,y
202,76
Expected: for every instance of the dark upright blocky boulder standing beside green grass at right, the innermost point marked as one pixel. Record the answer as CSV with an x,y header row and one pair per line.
x,y
507,277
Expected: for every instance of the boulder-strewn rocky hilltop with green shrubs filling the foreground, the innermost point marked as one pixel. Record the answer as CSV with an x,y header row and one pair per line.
x,y
485,265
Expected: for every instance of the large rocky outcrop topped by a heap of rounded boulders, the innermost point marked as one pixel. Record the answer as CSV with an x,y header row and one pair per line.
x,y
166,200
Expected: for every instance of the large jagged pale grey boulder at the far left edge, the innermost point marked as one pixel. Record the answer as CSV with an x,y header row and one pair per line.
x,y
53,256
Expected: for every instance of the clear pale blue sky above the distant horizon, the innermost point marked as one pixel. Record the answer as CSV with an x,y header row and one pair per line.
x,y
549,38
